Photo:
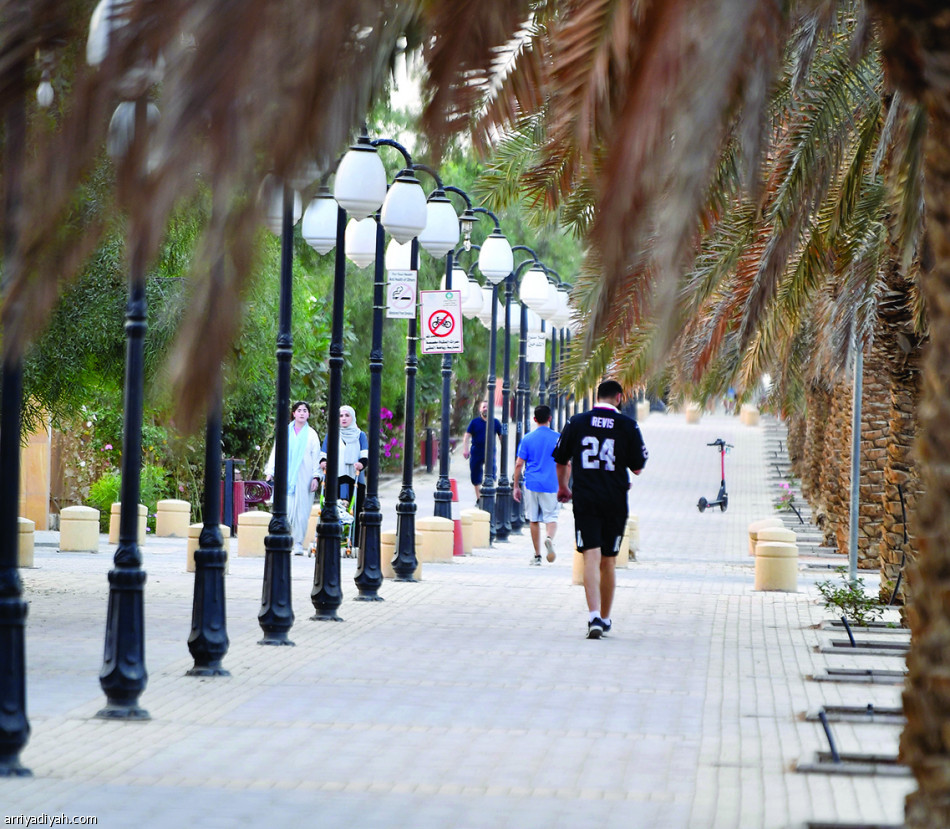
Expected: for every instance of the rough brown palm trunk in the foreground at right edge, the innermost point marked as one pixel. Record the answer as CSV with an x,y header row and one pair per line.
x,y
916,44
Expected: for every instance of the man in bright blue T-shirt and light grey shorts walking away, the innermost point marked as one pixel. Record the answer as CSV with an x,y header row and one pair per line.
x,y
536,460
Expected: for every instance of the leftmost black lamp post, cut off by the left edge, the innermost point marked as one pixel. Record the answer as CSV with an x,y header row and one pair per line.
x,y
14,725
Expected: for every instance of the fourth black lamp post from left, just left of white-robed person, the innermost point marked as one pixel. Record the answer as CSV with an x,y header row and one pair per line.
x,y
276,615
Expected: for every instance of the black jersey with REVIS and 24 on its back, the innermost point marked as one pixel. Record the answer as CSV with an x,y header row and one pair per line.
x,y
601,445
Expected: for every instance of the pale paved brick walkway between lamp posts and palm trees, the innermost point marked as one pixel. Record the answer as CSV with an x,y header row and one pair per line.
x,y
472,698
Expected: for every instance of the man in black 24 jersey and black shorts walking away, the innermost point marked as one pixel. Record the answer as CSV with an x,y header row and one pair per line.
x,y
599,447
